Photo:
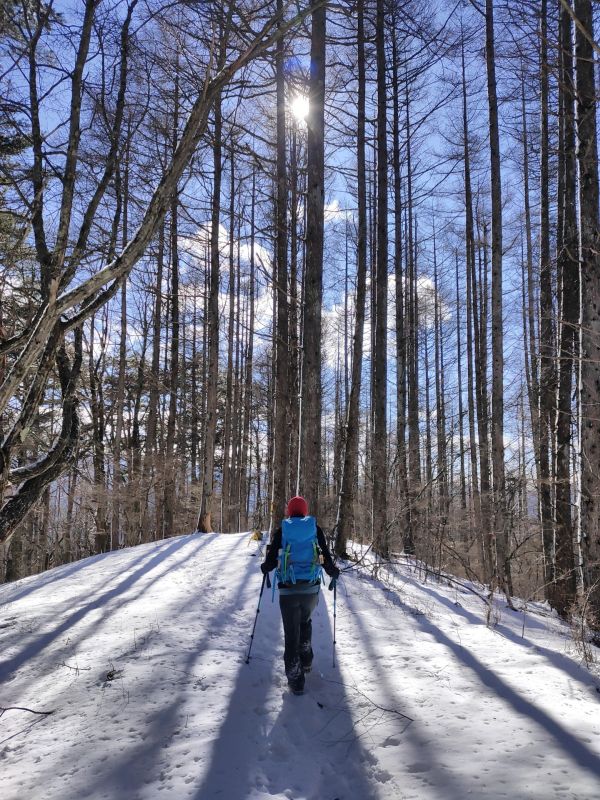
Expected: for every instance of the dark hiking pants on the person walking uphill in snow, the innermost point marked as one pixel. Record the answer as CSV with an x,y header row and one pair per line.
x,y
296,611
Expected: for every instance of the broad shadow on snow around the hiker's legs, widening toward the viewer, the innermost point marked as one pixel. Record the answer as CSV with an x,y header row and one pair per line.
x,y
304,752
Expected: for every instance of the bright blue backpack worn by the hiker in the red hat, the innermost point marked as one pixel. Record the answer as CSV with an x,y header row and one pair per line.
x,y
299,557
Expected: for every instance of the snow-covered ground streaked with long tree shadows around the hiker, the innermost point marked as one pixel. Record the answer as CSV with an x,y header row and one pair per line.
x,y
140,655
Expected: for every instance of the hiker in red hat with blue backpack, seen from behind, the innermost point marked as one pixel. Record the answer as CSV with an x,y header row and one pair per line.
x,y
298,551
